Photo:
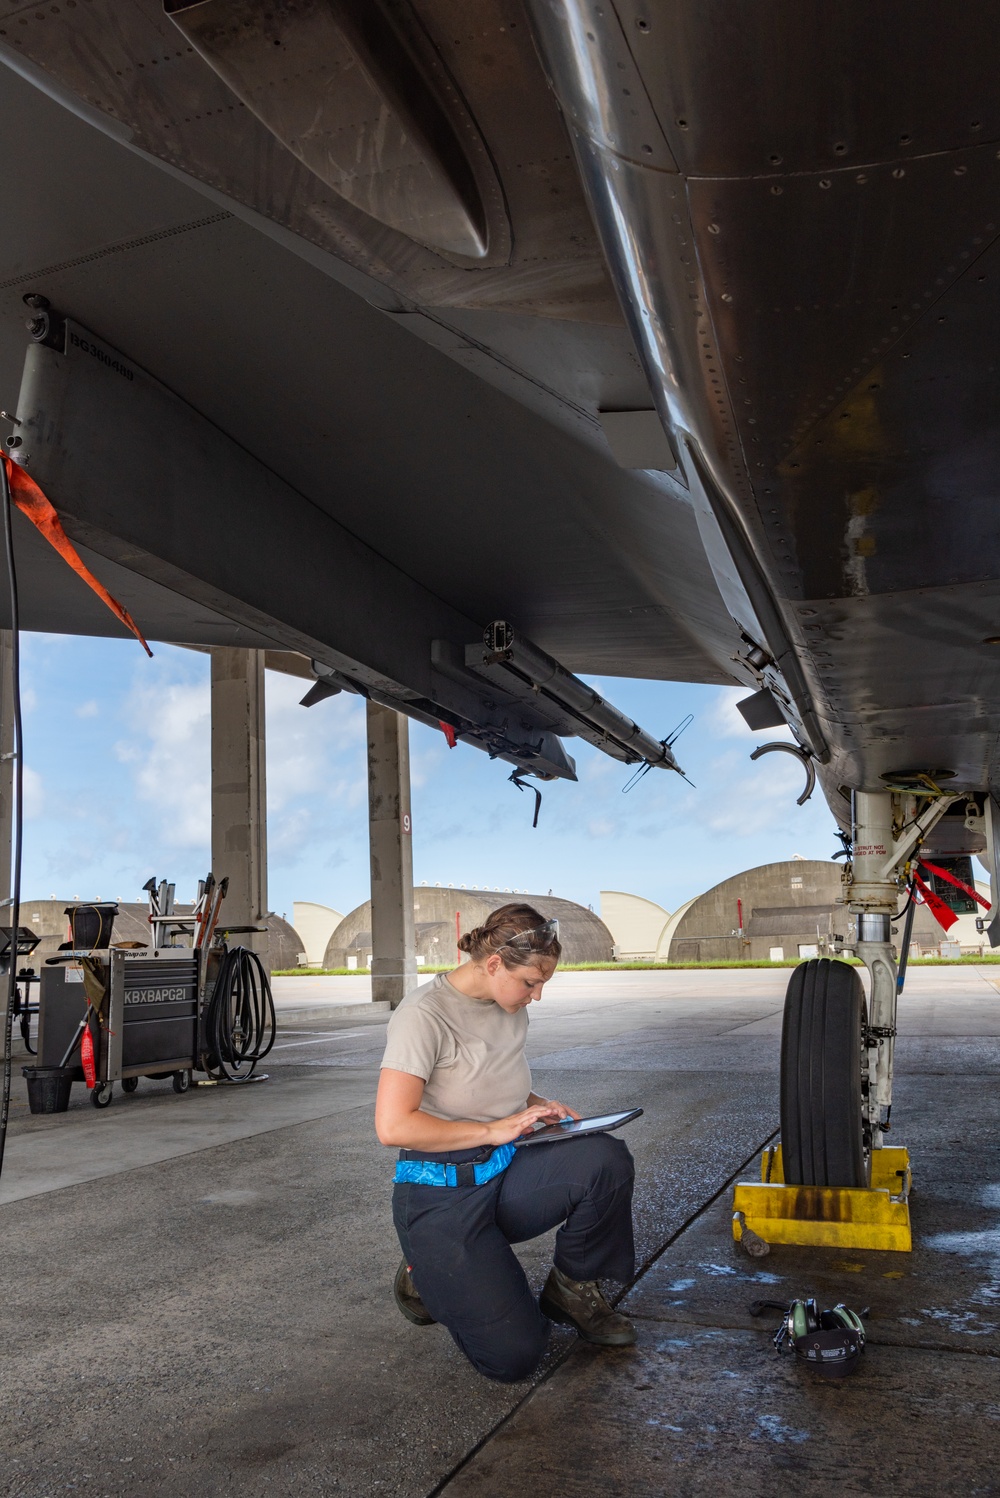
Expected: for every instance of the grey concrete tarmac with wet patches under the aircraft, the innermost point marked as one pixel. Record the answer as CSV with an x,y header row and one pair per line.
x,y
198,1289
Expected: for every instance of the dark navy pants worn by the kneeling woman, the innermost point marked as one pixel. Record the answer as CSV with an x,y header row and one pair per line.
x,y
457,1243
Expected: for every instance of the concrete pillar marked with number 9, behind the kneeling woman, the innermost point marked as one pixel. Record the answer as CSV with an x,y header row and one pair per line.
x,y
391,847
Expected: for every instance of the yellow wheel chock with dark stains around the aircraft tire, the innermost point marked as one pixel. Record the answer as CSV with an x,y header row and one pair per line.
x,y
829,1217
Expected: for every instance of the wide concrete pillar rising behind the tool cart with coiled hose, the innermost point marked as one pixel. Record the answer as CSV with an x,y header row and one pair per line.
x,y
239,787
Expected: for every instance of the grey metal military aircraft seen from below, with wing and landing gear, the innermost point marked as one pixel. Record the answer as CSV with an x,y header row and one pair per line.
x,y
468,345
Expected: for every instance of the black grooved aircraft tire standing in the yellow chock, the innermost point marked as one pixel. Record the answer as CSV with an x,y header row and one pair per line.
x,y
824,1075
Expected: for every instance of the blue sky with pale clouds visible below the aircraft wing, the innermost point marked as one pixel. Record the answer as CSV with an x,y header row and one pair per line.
x,y
118,789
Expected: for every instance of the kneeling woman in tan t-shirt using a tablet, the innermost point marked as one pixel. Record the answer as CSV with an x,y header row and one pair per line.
x,y
456,1091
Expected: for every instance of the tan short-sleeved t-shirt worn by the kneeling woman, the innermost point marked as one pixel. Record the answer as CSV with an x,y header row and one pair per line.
x,y
469,1052
